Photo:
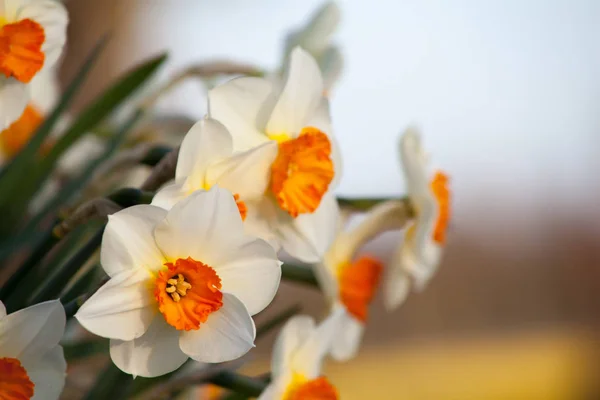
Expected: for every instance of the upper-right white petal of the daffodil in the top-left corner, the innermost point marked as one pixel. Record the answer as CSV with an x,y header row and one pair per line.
x,y
53,17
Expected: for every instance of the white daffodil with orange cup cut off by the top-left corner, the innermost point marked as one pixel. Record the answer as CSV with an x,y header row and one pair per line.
x,y
32,37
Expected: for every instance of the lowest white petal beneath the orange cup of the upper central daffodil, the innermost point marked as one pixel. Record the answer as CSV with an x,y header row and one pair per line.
x,y
309,236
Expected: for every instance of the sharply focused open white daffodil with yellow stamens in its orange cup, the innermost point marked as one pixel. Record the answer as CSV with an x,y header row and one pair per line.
x,y
184,283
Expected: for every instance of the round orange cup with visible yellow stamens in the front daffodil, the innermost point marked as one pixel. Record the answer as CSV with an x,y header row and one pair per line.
x,y
187,292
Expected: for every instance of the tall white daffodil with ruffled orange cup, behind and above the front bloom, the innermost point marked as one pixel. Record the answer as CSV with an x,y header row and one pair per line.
x,y
300,204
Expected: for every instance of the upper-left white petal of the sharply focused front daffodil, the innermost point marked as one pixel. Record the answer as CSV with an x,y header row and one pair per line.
x,y
128,240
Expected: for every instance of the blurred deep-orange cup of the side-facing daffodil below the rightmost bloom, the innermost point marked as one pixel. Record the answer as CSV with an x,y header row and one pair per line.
x,y
358,282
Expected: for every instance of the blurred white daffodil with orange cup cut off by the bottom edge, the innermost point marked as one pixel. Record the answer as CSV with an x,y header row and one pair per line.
x,y
297,358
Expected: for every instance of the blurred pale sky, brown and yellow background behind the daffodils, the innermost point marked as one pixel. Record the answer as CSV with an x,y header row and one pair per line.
x,y
507,94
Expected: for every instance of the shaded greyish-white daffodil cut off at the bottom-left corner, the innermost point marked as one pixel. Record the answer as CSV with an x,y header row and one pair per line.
x,y
32,364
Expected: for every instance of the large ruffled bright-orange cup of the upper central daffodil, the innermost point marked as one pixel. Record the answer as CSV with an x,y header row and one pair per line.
x,y
302,172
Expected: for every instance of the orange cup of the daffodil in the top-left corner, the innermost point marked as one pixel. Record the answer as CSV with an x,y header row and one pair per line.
x,y
21,53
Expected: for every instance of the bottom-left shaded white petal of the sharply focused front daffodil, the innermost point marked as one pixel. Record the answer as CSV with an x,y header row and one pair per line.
x,y
154,353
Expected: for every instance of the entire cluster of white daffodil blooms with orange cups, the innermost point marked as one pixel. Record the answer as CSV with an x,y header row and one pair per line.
x,y
254,179
